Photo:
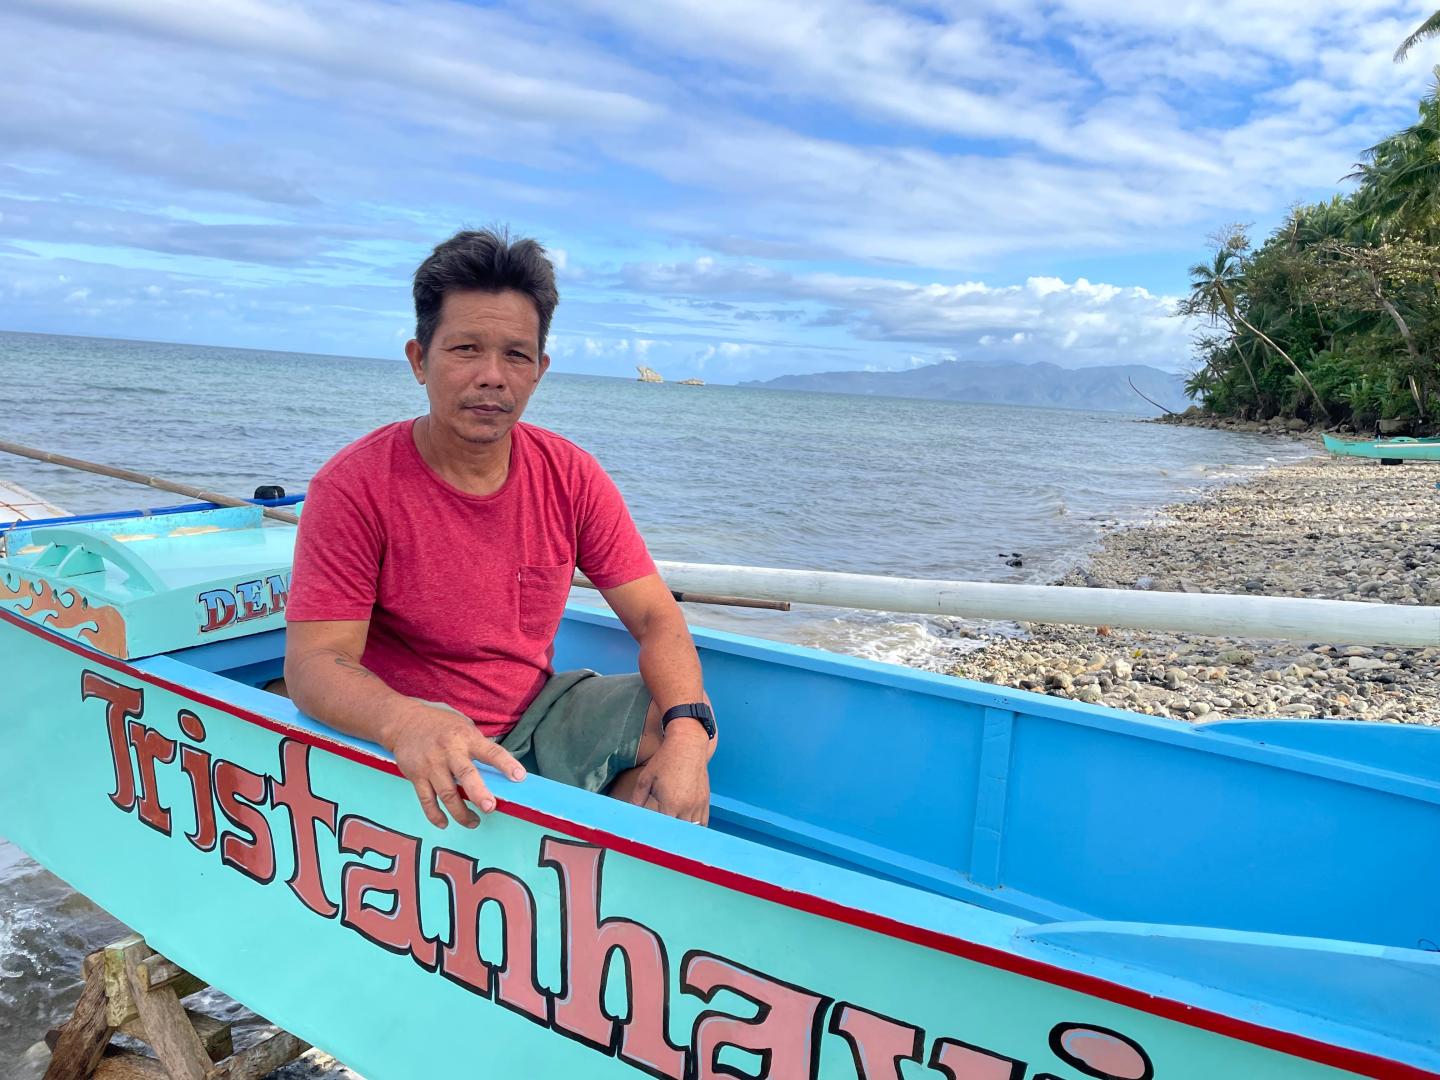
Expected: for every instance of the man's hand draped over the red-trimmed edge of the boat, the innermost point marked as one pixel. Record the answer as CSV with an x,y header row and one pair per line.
x,y
437,752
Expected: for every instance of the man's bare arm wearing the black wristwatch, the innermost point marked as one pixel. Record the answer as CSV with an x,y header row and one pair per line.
x,y
676,775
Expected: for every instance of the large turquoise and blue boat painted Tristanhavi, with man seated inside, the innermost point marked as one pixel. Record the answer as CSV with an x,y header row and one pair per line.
x,y
908,875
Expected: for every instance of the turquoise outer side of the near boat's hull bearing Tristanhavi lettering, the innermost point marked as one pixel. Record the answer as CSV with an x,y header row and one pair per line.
x,y
294,872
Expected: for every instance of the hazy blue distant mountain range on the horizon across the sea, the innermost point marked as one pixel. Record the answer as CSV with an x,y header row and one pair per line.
x,y
1101,390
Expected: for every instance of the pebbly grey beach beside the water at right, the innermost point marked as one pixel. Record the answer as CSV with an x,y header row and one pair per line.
x,y
1323,528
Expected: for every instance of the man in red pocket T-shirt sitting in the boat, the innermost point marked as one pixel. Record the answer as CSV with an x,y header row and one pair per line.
x,y
436,558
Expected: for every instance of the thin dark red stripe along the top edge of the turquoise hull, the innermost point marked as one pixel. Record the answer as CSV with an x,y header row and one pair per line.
x,y
1284,1042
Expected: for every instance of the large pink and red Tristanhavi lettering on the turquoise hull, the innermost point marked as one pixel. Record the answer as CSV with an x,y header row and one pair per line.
x,y
784,1033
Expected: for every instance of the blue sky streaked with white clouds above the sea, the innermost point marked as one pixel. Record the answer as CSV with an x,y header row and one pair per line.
x,y
729,189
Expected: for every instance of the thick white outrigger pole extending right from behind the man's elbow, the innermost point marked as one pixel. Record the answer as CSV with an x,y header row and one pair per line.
x,y
1218,616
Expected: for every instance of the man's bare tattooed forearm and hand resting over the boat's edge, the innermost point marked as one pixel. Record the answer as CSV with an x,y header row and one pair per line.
x,y
436,748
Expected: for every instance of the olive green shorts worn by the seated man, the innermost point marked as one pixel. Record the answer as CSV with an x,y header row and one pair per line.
x,y
582,729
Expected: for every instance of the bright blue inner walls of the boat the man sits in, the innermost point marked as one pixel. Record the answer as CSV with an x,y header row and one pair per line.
x,y
1040,809
